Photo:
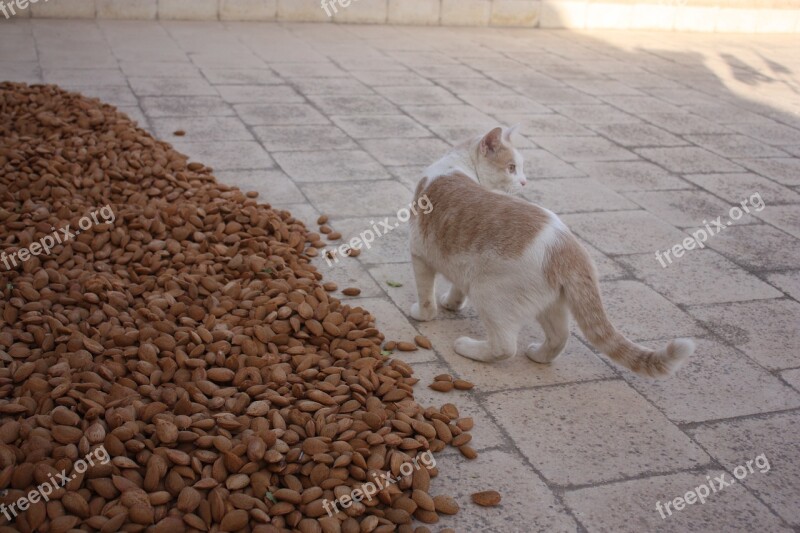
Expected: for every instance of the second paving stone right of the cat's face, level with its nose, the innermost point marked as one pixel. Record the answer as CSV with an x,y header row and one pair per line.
x,y
632,175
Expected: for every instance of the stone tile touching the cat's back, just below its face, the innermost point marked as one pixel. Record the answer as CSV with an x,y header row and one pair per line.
x,y
575,195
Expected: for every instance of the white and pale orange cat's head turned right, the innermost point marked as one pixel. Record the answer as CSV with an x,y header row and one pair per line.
x,y
499,164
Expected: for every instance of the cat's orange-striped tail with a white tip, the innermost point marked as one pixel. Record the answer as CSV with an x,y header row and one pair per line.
x,y
578,281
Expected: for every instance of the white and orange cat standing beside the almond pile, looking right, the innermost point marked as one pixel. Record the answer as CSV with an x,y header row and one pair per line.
x,y
515,260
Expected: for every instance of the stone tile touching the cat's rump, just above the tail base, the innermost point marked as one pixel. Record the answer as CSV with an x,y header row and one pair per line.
x,y
625,232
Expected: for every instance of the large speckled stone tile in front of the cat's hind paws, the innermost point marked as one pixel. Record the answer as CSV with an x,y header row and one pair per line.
x,y
577,434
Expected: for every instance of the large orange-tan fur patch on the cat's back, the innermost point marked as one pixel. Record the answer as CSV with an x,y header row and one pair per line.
x,y
465,217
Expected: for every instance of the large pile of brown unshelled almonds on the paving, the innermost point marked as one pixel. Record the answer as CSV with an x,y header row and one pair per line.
x,y
193,340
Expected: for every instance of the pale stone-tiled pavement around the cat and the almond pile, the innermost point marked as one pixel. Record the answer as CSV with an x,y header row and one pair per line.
x,y
636,139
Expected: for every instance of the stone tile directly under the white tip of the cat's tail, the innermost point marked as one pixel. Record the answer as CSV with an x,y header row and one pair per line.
x,y
708,394
